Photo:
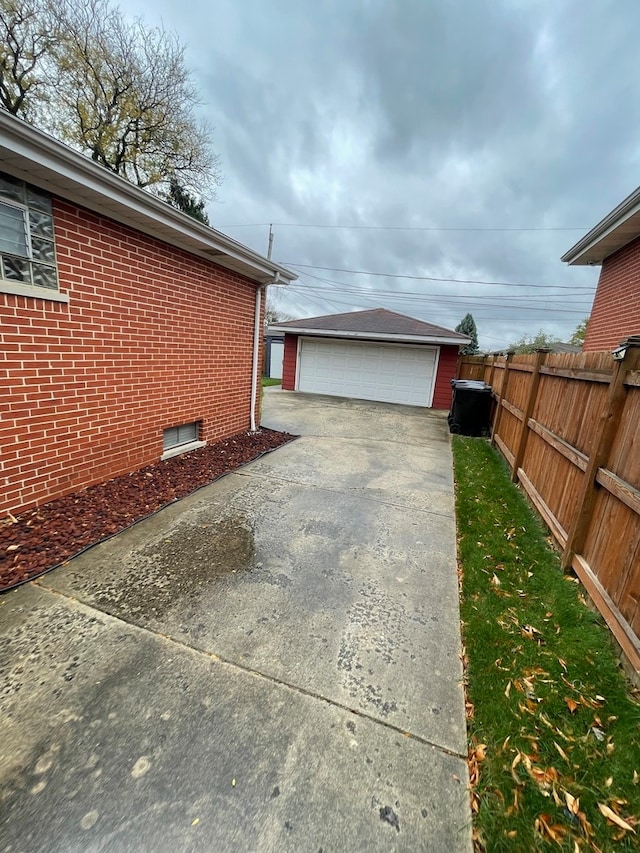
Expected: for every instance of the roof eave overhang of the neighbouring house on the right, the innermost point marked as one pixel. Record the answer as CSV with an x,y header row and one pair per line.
x,y
616,230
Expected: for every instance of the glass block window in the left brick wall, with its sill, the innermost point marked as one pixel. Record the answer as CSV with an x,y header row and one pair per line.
x,y
27,247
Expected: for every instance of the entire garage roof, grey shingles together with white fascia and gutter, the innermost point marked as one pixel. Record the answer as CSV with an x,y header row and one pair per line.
x,y
375,324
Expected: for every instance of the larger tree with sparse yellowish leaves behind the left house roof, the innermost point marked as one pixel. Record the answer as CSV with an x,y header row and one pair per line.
x,y
125,96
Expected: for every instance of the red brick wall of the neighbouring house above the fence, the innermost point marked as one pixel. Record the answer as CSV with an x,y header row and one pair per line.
x,y
616,309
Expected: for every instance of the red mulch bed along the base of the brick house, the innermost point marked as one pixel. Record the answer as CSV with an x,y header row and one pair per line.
x,y
42,538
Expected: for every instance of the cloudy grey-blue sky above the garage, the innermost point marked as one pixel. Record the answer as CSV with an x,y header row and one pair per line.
x,y
430,156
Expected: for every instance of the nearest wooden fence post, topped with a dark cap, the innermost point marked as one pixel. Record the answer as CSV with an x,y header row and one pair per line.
x,y
599,450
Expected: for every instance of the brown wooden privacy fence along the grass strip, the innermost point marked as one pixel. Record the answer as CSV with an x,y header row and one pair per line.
x,y
569,427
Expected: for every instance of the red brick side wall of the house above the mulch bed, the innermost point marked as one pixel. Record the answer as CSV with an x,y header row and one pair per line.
x,y
152,337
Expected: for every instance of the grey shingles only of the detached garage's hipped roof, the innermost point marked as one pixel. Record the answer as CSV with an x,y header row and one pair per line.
x,y
374,321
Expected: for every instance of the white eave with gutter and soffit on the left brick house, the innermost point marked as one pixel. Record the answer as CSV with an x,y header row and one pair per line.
x,y
38,158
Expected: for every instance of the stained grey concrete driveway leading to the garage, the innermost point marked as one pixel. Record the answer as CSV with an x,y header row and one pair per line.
x,y
272,664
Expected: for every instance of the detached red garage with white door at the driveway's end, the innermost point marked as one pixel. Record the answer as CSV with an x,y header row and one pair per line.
x,y
371,355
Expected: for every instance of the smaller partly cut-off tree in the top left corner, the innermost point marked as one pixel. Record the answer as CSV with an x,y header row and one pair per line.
x,y
28,32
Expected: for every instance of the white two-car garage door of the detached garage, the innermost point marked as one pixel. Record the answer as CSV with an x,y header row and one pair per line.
x,y
368,371
